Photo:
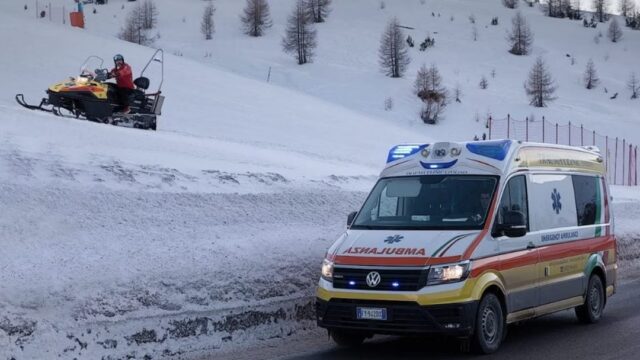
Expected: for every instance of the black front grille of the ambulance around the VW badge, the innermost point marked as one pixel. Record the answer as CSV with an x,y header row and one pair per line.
x,y
390,279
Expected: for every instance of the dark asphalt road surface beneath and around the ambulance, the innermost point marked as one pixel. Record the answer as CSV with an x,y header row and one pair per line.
x,y
556,336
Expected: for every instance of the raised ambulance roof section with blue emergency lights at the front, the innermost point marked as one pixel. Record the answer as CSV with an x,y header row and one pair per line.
x,y
494,157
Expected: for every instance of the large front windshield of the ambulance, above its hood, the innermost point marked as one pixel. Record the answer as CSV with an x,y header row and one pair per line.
x,y
428,202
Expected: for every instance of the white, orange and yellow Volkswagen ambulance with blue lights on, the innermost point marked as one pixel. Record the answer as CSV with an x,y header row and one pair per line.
x,y
464,239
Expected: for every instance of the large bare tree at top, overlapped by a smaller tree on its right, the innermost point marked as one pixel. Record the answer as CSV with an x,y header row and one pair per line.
x,y
300,36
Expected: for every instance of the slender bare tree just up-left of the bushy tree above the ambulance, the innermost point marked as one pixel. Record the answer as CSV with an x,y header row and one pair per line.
x,y
393,54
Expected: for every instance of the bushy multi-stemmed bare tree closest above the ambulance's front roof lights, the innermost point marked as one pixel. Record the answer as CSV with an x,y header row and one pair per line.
x,y
428,87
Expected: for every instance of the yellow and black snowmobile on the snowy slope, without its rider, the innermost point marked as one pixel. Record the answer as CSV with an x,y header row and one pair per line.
x,y
90,96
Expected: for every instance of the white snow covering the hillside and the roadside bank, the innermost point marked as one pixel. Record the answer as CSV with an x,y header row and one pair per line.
x,y
208,234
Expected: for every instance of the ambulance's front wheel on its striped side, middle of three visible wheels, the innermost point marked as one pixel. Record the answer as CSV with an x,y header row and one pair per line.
x,y
490,325
